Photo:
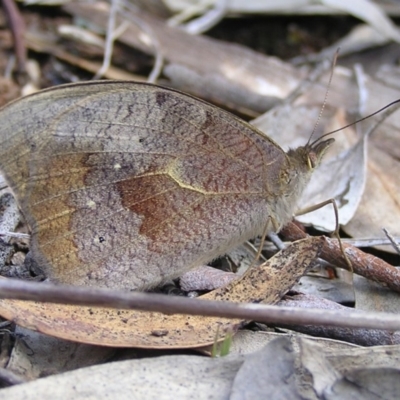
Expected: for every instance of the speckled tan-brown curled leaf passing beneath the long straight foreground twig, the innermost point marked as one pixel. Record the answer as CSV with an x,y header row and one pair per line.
x,y
110,327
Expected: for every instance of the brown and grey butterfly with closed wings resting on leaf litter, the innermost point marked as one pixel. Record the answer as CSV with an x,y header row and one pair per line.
x,y
127,185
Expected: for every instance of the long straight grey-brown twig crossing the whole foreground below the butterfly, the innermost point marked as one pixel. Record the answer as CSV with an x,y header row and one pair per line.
x,y
45,292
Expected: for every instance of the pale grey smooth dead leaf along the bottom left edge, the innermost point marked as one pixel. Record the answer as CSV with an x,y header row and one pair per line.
x,y
166,378
